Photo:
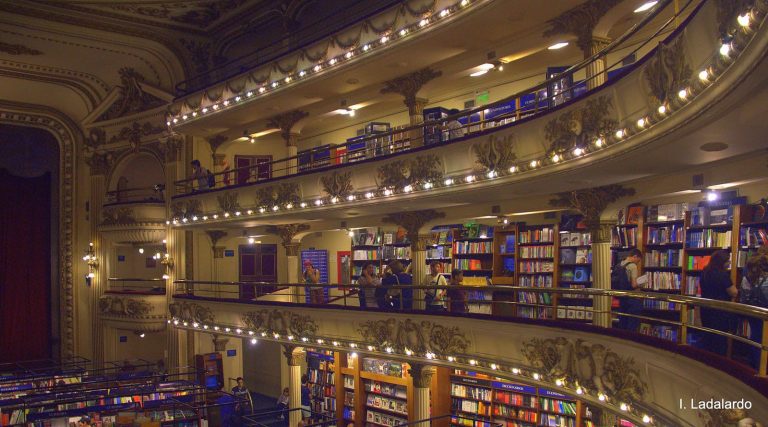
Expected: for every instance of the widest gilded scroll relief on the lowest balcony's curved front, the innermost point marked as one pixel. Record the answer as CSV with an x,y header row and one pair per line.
x,y
593,366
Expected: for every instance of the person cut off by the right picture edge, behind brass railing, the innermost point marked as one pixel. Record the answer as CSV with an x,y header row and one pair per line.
x,y
754,291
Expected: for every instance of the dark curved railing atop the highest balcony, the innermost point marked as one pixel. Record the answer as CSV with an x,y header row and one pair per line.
x,y
296,40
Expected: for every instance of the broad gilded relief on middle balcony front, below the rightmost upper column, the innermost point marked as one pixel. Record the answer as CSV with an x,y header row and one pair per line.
x,y
578,127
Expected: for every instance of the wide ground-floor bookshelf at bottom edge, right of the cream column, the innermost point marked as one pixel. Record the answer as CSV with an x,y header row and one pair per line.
x,y
494,401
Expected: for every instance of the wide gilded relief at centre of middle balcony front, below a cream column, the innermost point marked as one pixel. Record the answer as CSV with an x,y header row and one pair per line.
x,y
419,170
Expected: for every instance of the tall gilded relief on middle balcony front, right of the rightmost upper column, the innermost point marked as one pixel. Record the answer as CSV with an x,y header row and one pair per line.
x,y
667,71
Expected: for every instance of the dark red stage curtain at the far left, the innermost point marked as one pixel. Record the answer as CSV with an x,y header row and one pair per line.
x,y
25,267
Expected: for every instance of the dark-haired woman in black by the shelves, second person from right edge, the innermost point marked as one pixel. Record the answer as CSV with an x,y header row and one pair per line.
x,y
716,284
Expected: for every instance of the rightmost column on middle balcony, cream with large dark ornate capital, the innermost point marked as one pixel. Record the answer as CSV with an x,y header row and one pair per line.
x,y
581,21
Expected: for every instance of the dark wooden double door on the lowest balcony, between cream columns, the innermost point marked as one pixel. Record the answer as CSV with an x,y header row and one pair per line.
x,y
257,263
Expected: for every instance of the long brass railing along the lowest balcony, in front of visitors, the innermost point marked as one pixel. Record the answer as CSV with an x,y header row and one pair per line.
x,y
674,319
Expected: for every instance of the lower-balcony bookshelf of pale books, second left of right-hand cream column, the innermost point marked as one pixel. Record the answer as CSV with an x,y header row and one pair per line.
x,y
536,267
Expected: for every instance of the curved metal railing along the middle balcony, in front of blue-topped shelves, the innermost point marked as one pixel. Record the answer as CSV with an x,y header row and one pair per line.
x,y
527,103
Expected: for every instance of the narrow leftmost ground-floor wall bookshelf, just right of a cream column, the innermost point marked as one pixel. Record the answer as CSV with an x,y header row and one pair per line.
x,y
322,380
